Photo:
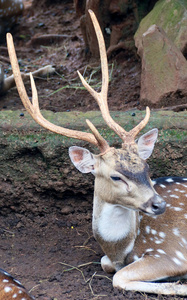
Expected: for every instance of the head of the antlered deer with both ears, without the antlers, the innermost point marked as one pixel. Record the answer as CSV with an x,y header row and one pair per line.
x,y
121,175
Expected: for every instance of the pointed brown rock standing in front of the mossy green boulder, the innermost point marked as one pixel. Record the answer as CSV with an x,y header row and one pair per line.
x,y
164,70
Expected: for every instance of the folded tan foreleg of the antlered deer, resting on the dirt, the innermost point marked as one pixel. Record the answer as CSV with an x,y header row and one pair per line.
x,y
134,277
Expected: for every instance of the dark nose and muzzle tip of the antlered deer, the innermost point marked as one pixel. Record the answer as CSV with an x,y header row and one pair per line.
x,y
155,205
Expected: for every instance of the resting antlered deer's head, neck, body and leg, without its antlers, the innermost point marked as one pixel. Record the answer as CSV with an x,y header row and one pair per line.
x,y
138,247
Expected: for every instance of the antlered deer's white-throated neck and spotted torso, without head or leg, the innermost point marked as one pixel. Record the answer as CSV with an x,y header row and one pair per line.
x,y
136,235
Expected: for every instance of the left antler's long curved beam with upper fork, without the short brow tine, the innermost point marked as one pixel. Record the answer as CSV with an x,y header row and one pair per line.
x,y
33,108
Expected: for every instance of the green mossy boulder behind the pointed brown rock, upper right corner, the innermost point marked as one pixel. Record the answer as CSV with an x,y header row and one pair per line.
x,y
171,16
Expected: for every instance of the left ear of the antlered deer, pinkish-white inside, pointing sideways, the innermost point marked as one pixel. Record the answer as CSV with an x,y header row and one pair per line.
x,y
82,159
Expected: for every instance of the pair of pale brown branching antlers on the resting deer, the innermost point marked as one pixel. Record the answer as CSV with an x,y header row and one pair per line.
x,y
101,98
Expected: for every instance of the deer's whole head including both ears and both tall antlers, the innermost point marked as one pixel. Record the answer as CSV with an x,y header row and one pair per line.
x,y
121,175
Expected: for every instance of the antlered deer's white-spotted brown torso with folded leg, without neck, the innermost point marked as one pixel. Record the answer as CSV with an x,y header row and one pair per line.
x,y
160,248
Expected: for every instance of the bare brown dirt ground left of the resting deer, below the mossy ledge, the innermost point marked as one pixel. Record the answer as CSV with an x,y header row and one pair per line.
x,y
55,255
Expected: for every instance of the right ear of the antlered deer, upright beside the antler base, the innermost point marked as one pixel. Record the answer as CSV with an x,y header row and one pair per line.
x,y
146,143
